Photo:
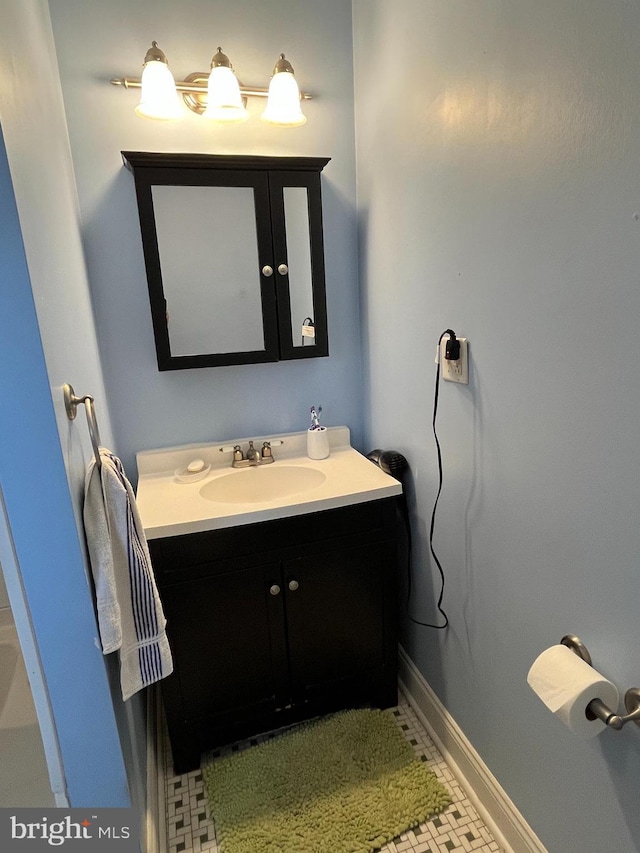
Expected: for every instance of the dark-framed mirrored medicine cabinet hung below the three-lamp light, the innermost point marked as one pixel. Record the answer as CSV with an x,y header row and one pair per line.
x,y
234,256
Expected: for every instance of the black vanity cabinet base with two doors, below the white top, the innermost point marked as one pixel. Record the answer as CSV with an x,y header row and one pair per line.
x,y
275,622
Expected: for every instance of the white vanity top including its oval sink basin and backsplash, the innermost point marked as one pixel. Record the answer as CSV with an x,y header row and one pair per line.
x,y
228,497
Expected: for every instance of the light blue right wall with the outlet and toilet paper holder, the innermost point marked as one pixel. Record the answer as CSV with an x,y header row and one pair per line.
x,y
499,190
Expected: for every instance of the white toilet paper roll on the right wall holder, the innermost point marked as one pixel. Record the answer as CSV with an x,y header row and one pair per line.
x,y
566,685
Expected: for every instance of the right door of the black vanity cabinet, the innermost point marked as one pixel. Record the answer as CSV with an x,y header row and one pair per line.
x,y
341,621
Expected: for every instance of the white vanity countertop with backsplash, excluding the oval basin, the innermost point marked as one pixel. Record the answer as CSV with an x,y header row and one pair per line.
x,y
169,507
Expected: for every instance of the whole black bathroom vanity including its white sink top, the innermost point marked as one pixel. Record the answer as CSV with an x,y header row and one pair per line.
x,y
278,609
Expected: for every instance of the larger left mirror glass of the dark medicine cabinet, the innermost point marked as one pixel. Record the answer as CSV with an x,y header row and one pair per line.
x,y
210,266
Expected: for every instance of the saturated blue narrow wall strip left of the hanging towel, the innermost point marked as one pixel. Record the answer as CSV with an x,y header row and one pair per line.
x,y
40,513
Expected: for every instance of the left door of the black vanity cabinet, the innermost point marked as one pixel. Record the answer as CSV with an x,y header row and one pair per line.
x,y
226,634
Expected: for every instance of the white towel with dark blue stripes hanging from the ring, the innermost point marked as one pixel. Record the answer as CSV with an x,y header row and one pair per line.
x,y
130,615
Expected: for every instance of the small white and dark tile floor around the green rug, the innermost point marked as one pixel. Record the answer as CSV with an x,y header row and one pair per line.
x,y
191,829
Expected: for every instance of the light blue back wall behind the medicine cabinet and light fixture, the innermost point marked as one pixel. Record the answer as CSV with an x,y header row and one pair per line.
x,y
98,41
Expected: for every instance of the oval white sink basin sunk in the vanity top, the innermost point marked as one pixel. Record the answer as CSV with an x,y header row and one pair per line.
x,y
257,485
